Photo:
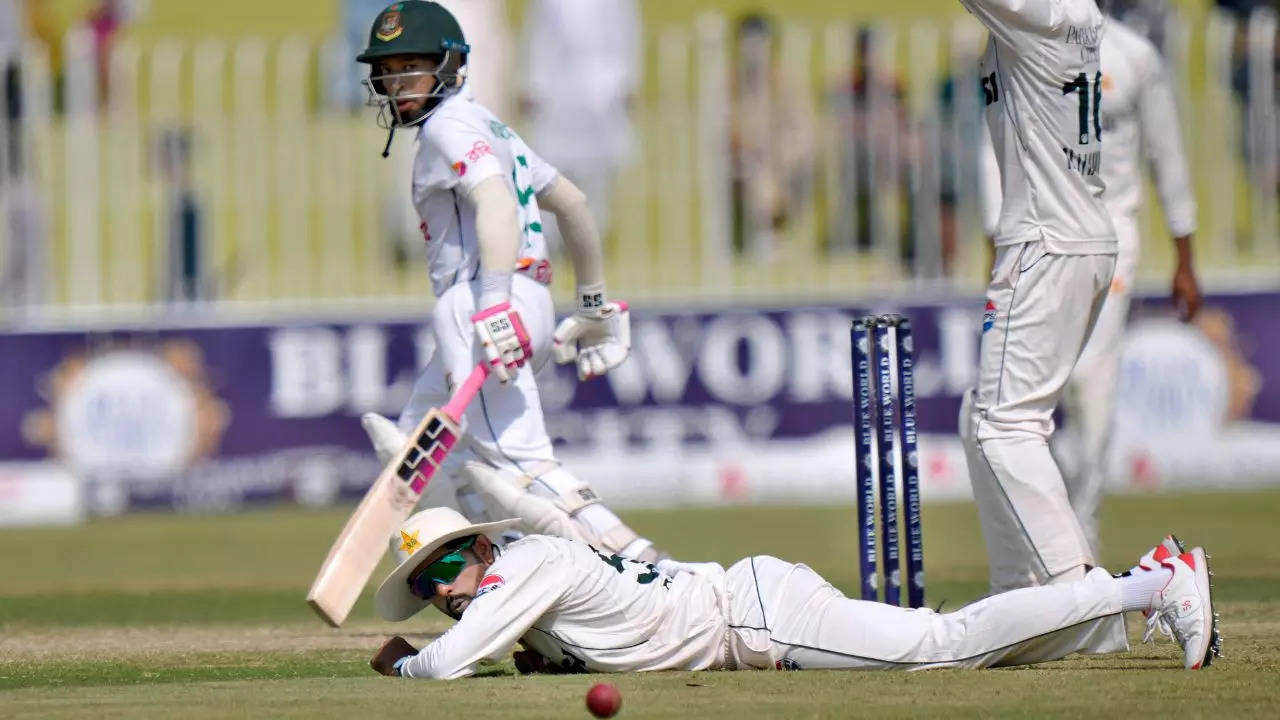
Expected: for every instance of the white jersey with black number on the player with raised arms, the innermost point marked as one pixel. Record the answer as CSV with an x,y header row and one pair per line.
x,y
1043,85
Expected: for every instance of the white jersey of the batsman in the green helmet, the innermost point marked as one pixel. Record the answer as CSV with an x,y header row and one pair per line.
x,y
461,145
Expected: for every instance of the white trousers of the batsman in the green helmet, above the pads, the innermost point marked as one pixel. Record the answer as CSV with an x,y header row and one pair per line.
x,y
504,425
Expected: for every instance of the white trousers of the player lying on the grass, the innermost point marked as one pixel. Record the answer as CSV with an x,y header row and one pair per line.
x,y
787,617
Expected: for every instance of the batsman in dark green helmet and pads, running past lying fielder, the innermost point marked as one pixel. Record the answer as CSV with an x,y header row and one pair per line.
x,y
479,192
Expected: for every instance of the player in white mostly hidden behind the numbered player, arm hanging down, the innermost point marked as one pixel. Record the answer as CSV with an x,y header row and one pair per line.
x,y
1140,121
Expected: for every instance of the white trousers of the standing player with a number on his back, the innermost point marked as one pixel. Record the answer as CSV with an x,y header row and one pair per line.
x,y
1041,311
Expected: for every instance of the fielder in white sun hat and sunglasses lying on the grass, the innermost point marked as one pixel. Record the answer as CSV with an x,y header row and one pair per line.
x,y
580,609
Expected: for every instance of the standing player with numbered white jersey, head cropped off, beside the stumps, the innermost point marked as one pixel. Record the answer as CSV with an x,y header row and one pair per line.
x,y
1055,256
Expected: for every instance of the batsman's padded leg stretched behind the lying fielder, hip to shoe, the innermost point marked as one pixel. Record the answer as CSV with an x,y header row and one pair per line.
x,y
508,434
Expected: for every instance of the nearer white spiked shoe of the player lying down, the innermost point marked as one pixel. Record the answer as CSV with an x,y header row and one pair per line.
x,y
1186,605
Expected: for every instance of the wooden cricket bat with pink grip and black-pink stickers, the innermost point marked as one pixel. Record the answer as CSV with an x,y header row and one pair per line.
x,y
390,502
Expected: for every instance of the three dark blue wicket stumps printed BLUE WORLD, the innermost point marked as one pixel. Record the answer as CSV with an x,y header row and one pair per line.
x,y
886,448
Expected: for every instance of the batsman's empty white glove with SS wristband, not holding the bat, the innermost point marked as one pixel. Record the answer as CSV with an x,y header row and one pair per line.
x,y
598,336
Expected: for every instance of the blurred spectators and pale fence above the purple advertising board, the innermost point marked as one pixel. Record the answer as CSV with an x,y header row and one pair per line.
x,y
164,152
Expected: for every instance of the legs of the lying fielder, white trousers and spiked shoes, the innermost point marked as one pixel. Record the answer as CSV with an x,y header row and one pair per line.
x,y
813,626
